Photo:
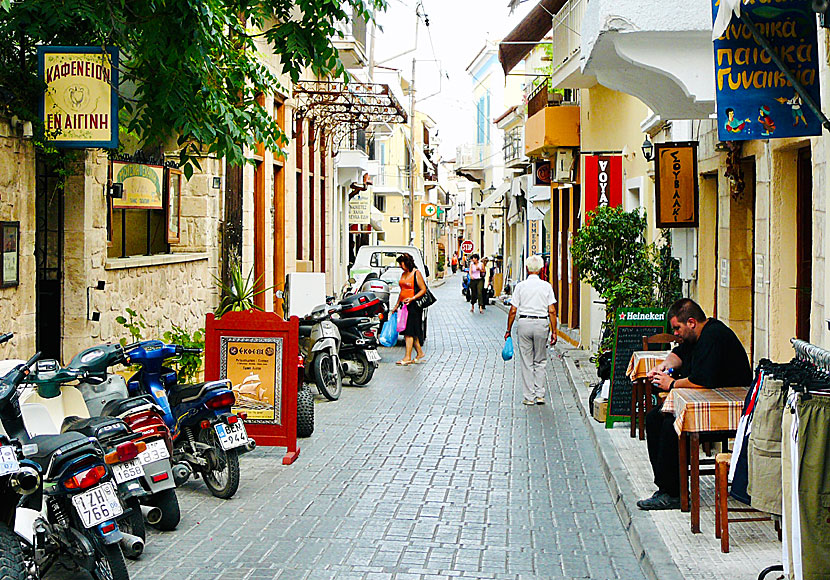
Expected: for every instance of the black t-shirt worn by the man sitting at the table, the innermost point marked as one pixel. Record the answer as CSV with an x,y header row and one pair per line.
x,y
717,360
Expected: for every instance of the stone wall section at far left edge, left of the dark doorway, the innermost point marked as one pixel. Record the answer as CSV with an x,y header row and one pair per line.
x,y
17,203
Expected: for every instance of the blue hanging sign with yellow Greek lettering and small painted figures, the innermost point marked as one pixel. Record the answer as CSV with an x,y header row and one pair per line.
x,y
754,98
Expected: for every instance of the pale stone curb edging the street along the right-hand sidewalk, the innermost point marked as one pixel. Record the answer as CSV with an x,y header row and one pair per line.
x,y
643,535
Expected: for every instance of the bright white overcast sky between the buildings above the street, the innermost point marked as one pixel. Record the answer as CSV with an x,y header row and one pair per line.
x,y
457,31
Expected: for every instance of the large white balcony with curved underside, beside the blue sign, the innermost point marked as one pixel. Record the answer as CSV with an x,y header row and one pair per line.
x,y
659,52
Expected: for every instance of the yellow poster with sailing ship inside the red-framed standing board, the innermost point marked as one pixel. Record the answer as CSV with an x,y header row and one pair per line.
x,y
254,367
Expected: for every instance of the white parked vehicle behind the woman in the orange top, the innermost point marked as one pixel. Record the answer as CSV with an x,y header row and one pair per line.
x,y
381,262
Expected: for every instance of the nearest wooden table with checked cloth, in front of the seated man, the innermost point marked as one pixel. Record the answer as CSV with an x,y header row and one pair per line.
x,y
708,414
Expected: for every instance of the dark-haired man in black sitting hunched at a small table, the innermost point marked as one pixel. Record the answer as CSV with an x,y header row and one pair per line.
x,y
709,356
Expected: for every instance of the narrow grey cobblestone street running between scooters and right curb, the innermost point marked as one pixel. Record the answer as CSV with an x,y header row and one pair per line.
x,y
432,471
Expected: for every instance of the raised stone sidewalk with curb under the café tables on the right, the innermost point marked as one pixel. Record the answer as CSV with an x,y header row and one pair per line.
x,y
670,550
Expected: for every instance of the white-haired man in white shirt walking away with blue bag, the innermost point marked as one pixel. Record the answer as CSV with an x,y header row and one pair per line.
x,y
535,304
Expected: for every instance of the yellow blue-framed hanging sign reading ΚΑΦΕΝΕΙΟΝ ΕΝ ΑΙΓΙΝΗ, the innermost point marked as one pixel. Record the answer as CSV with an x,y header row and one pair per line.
x,y
79,107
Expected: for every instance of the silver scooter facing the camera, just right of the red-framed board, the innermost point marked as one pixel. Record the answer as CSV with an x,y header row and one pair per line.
x,y
320,345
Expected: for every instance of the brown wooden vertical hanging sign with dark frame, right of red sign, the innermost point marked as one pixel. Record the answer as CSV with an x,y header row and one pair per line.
x,y
675,178
